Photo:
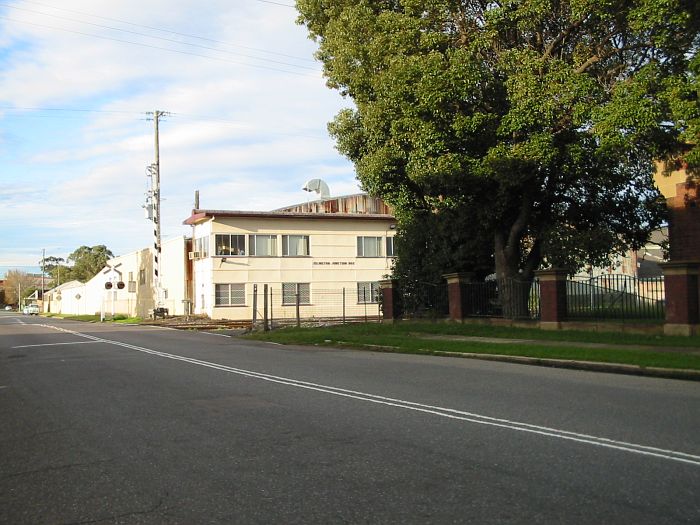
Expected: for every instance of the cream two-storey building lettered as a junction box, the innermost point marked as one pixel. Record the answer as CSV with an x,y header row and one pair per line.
x,y
324,257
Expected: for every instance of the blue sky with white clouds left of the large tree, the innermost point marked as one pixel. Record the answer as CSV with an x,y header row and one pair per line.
x,y
247,118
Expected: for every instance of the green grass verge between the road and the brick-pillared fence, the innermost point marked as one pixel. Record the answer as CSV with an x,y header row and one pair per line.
x,y
416,337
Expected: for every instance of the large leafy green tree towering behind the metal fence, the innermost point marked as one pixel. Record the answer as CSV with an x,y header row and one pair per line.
x,y
540,118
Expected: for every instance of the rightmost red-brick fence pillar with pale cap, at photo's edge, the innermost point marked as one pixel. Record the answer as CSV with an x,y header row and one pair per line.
x,y
682,297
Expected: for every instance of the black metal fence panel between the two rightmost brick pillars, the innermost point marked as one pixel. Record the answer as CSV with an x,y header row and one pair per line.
x,y
615,296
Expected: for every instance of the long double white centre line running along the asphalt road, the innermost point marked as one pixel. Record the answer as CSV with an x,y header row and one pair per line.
x,y
449,413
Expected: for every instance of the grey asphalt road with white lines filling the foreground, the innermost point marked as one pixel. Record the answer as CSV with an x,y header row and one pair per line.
x,y
122,424
